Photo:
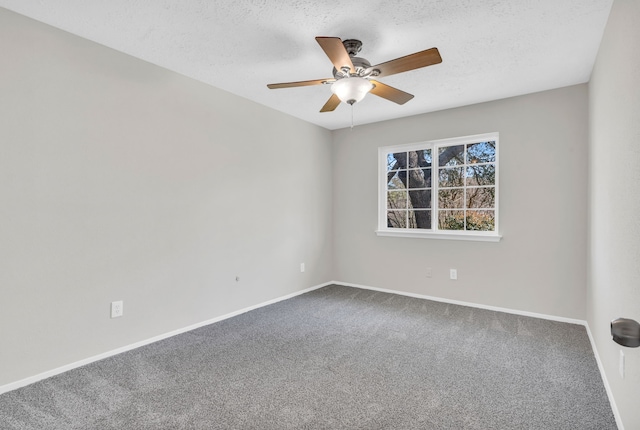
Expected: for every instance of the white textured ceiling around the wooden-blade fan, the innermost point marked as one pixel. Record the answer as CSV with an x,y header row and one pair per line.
x,y
491,49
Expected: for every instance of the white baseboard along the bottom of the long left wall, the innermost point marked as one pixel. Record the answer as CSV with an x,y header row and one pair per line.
x,y
44,375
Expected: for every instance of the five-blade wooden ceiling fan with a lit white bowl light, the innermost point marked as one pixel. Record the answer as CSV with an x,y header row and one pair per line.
x,y
352,76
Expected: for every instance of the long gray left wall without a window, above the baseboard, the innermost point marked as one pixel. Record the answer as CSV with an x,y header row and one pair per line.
x,y
120,180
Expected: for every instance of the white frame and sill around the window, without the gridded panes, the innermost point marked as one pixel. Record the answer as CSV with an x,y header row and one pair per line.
x,y
434,233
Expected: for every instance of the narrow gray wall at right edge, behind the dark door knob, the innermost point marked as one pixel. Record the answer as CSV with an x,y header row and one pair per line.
x,y
614,258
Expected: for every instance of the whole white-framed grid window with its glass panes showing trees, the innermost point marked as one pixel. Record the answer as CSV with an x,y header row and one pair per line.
x,y
445,189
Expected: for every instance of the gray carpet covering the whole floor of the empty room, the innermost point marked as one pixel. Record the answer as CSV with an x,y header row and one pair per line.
x,y
335,358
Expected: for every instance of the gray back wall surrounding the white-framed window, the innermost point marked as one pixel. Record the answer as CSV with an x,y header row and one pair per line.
x,y
540,264
